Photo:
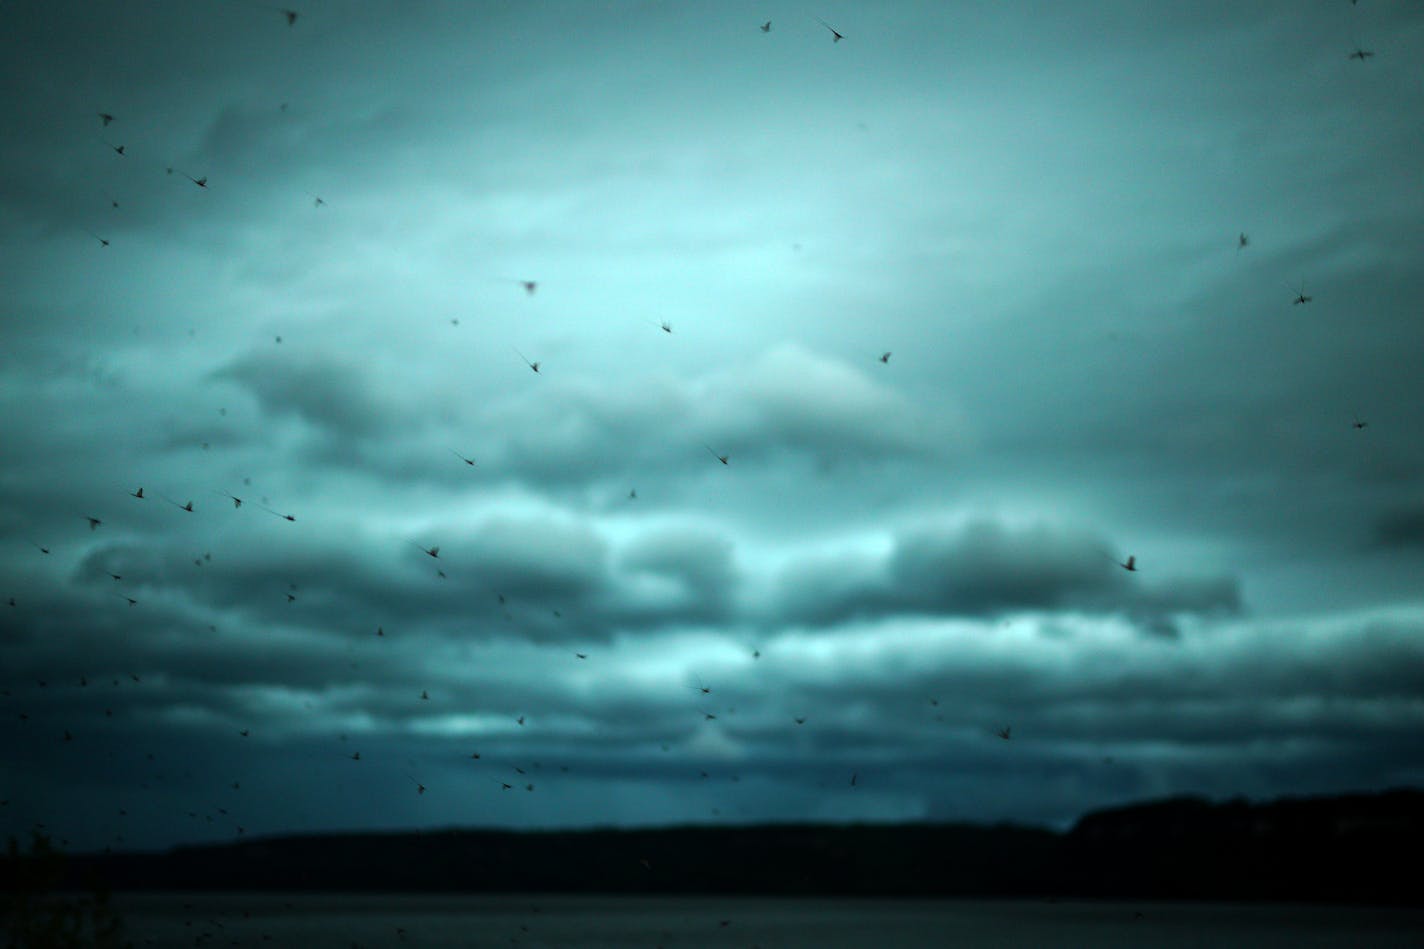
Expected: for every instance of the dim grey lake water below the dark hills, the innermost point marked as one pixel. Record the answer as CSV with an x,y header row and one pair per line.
x,y
371,921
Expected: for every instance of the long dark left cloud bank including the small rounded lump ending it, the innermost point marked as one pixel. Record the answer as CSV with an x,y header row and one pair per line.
x,y
535,578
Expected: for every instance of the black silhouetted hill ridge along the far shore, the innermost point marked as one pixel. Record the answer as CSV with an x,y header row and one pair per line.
x,y
1339,849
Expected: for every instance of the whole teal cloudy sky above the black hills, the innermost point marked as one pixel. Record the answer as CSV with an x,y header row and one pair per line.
x,y
849,378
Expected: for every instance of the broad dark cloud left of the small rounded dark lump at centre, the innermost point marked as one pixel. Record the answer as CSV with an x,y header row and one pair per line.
x,y
348,591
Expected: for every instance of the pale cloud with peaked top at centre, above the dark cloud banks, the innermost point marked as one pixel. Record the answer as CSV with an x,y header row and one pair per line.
x,y
787,401
